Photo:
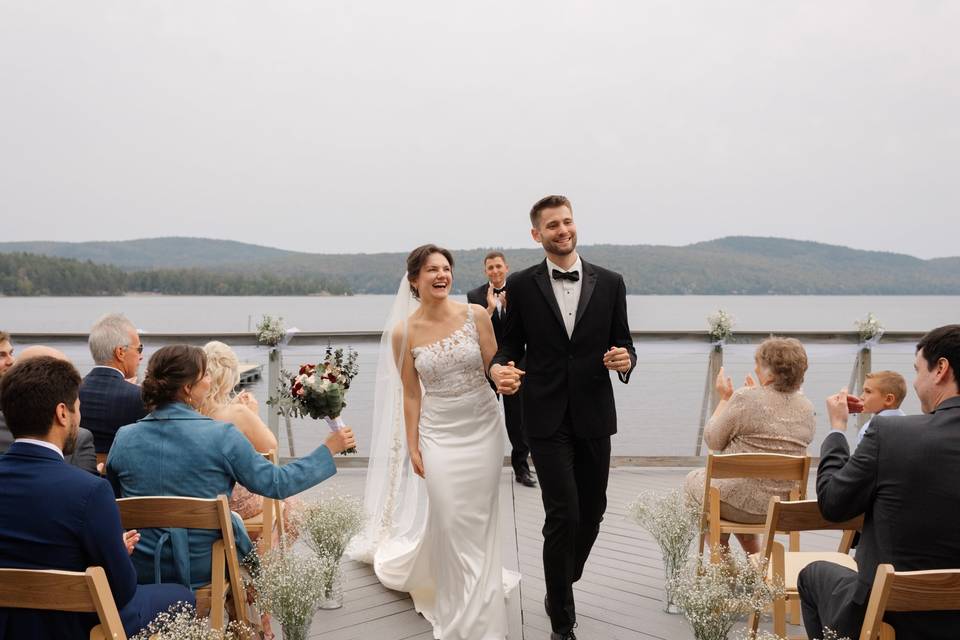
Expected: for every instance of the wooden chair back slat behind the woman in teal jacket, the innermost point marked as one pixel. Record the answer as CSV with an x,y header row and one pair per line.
x,y
156,512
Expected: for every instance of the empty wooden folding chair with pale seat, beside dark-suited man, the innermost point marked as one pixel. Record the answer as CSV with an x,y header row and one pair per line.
x,y
785,566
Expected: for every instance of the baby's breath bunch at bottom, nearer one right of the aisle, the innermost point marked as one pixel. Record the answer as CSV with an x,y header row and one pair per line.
x,y
714,596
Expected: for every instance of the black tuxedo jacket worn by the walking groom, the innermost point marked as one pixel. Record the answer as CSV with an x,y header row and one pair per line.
x,y
566,374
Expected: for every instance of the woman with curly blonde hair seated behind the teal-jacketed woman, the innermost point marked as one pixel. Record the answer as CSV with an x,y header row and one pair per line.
x,y
239,410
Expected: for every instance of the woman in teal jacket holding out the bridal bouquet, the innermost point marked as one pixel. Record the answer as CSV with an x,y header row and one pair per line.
x,y
177,451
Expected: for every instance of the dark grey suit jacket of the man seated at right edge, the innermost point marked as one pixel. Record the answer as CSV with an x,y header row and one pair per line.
x,y
903,477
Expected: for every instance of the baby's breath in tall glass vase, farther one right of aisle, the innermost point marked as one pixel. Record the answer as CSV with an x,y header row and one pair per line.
x,y
673,520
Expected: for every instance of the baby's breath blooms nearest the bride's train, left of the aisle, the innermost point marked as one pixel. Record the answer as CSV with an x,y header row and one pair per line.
x,y
328,524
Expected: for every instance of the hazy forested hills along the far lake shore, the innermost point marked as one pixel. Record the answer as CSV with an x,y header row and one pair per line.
x,y
733,265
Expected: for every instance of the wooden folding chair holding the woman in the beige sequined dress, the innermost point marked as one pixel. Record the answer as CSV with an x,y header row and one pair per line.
x,y
771,466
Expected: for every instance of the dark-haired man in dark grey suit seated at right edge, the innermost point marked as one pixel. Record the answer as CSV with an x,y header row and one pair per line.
x,y
902,477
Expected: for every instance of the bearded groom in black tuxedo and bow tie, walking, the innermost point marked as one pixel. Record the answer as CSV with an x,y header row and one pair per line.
x,y
569,318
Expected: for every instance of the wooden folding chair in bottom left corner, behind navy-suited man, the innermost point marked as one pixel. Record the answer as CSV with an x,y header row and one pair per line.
x,y
51,590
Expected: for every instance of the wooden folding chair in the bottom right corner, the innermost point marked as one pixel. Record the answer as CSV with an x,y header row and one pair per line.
x,y
935,590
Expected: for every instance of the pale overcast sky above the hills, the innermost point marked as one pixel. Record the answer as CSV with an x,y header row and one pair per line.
x,y
376,126
